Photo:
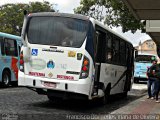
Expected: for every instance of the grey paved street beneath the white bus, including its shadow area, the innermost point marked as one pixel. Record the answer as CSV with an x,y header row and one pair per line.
x,y
22,103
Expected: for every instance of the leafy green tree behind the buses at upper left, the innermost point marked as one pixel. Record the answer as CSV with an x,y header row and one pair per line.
x,y
11,15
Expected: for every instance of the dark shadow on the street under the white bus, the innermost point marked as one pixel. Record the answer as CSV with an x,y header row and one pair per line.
x,y
89,107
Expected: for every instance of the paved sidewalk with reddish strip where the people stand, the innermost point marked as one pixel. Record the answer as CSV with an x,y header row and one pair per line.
x,y
139,109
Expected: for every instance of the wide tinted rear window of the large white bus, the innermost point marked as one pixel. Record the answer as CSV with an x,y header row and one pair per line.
x,y
57,31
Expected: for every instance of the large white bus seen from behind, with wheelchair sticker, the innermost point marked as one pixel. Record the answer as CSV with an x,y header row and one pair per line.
x,y
74,56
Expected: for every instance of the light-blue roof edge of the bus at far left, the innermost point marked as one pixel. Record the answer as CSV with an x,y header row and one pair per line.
x,y
18,38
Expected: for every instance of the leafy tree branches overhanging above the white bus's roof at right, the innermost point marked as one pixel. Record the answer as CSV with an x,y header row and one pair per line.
x,y
114,13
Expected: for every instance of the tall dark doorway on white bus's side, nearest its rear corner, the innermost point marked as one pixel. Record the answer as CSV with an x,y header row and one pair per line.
x,y
99,57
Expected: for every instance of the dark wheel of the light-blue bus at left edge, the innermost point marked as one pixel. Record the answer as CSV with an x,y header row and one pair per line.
x,y
6,79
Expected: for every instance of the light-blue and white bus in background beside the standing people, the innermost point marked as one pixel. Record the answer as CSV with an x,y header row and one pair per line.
x,y
142,62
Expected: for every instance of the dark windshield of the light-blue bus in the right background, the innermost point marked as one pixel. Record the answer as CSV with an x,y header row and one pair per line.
x,y
144,58
